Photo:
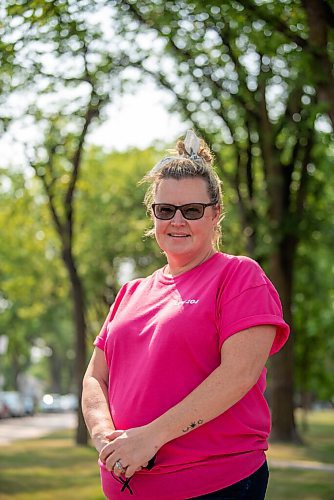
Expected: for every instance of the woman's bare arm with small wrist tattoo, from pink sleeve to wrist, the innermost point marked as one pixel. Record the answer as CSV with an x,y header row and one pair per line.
x,y
242,362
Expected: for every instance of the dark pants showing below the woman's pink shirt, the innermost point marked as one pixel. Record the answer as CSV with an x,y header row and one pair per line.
x,y
251,488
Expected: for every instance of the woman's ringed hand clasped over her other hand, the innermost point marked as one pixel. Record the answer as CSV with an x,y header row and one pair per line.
x,y
133,448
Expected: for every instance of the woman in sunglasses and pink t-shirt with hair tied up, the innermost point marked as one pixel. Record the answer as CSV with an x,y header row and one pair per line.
x,y
177,376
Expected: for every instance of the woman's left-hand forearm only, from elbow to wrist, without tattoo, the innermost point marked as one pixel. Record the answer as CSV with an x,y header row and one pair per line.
x,y
96,410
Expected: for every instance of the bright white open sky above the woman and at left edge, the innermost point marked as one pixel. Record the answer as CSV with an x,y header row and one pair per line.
x,y
136,120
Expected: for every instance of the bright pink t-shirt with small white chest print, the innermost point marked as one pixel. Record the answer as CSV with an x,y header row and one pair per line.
x,y
161,339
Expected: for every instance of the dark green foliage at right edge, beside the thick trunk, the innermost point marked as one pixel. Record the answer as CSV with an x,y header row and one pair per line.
x,y
314,291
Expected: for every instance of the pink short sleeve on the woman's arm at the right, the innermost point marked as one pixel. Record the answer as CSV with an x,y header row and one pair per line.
x,y
249,300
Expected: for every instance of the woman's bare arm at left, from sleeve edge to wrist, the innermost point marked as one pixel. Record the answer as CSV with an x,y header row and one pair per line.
x,y
95,405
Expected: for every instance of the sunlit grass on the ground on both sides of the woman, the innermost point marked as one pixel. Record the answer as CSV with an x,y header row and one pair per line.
x,y
53,468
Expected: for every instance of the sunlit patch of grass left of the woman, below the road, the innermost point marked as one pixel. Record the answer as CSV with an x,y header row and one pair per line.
x,y
49,468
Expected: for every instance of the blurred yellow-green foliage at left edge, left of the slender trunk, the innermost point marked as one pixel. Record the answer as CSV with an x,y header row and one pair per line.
x,y
33,291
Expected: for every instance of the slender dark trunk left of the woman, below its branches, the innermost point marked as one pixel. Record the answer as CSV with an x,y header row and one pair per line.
x,y
80,335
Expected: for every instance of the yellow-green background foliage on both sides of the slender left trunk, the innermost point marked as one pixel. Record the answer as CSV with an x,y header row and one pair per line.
x,y
110,224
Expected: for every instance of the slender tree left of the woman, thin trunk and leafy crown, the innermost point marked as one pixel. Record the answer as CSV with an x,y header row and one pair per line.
x,y
67,58
